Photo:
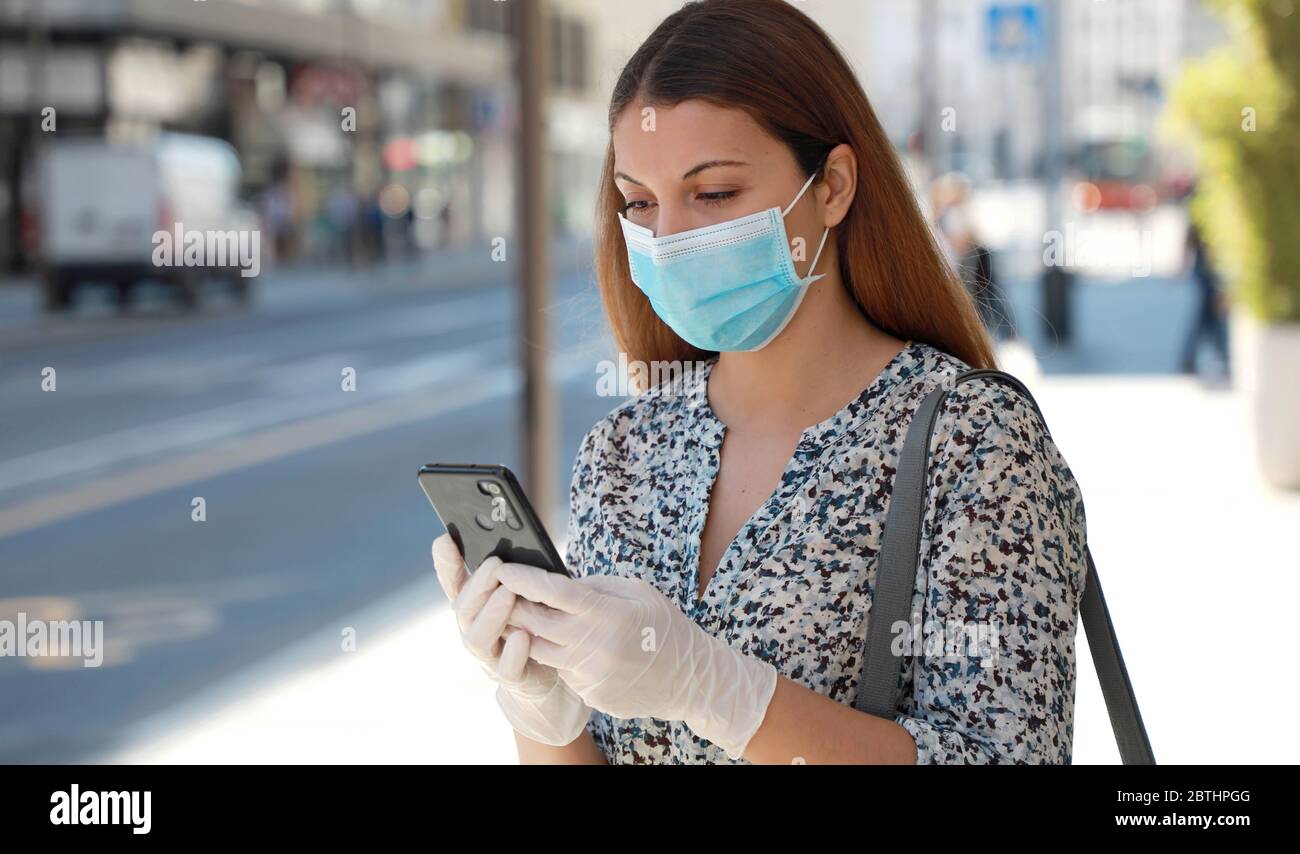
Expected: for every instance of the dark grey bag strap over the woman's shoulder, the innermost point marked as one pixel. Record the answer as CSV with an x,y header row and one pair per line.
x,y
896,586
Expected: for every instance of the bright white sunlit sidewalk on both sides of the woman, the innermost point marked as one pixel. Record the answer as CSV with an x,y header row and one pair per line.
x,y
1189,540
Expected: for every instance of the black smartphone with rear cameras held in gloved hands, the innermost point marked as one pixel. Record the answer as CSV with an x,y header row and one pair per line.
x,y
486,511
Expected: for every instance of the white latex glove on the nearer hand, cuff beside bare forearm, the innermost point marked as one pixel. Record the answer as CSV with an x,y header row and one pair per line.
x,y
631,653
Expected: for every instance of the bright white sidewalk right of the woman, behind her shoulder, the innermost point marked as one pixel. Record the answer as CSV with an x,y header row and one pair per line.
x,y
1199,563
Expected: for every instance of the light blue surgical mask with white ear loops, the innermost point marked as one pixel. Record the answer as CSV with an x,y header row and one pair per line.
x,y
729,287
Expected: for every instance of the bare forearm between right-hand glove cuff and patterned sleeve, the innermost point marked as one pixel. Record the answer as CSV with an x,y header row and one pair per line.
x,y
803,727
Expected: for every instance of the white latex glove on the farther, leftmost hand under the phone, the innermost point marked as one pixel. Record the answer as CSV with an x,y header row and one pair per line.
x,y
536,703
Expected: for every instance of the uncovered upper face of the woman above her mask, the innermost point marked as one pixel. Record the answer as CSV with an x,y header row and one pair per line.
x,y
696,164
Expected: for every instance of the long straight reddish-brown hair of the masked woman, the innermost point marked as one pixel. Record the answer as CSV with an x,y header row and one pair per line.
x,y
775,63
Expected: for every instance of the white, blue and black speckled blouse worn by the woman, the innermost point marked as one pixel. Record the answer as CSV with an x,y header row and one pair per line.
x,y
1002,548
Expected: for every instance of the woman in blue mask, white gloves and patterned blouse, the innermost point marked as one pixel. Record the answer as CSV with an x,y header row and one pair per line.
x,y
726,526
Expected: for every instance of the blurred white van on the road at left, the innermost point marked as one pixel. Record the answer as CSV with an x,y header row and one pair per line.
x,y
102,205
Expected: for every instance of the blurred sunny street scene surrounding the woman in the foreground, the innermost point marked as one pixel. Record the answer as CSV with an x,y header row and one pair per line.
x,y
215,456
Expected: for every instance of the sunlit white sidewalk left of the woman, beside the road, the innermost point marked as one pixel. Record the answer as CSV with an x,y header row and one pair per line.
x,y
410,695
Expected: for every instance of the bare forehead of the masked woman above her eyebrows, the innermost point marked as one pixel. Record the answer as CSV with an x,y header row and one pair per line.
x,y
656,141
